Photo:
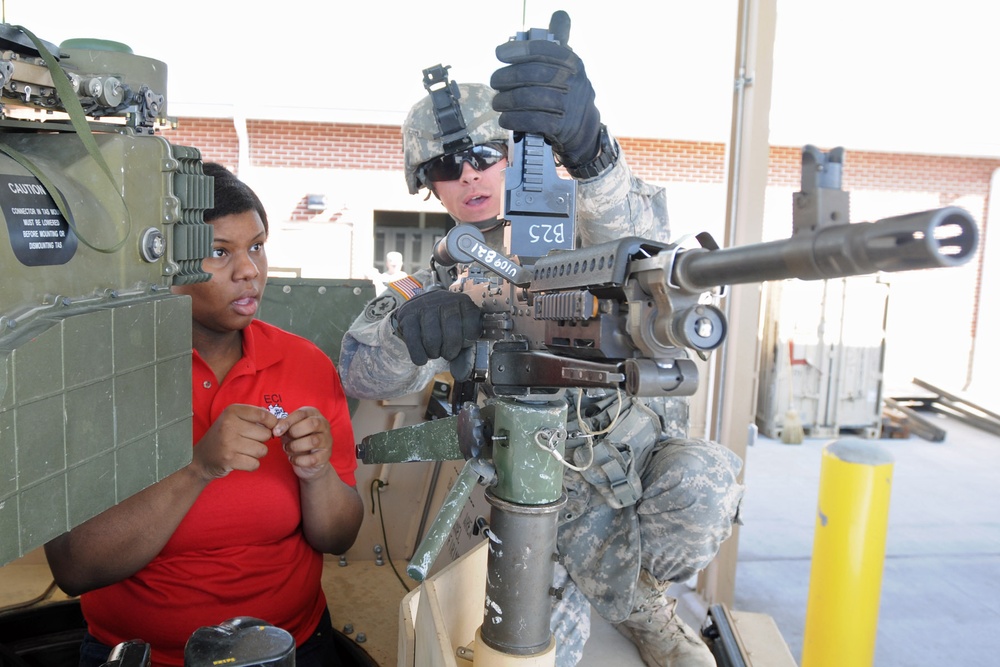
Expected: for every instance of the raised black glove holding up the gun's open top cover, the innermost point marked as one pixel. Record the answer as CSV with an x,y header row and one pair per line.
x,y
545,90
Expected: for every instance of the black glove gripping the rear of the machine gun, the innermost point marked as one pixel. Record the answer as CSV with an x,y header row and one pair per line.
x,y
437,324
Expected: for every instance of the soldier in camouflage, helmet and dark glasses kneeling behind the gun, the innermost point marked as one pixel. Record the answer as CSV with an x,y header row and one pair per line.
x,y
653,507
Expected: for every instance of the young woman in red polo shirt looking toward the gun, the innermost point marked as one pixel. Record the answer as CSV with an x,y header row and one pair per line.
x,y
241,530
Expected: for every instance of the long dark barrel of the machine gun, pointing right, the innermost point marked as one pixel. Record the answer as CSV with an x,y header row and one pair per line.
x,y
937,238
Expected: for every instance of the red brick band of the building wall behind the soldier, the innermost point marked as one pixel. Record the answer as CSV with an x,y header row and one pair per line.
x,y
339,146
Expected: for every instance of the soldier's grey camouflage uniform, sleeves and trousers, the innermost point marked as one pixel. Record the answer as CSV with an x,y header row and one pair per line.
x,y
651,499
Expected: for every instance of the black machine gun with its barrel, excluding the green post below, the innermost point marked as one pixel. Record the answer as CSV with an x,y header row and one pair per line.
x,y
623,314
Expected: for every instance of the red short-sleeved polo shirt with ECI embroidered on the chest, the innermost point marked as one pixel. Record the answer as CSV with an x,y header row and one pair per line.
x,y
239,551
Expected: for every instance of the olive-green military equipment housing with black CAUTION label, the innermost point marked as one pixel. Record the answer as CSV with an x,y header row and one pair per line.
x,y
101,217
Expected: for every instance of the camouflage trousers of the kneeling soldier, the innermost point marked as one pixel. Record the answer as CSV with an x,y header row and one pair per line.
x,y
646,501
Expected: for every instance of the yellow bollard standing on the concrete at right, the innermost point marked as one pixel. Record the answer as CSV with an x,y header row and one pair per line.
x,y
845,581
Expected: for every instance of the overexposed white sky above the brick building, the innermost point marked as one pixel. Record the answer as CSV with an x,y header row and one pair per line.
x,y
865,74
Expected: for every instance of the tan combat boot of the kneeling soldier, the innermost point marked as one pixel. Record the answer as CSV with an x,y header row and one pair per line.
x,y
662,637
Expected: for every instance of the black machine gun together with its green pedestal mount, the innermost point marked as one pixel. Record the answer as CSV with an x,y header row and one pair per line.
x,y
623,316
